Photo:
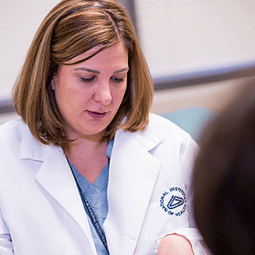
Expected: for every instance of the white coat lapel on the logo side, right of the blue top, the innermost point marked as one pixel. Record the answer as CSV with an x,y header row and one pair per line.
x,y
132,176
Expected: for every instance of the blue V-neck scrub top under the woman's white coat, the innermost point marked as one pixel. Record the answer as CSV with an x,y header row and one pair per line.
x,y
96,195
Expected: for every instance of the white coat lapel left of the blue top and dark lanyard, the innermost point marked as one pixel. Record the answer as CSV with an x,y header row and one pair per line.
x,y
57,179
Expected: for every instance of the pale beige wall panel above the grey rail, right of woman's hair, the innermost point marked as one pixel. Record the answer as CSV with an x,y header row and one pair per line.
x,y
185,36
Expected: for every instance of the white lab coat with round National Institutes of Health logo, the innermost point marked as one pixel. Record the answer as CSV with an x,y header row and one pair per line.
x,y
40,207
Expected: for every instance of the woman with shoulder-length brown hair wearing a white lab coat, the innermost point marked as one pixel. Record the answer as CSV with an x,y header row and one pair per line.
x,y
88,170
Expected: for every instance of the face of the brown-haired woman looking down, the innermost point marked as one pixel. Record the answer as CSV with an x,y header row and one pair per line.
x,y
89,94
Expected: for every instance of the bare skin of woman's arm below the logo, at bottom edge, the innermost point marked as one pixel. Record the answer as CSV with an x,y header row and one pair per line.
x,y
175,245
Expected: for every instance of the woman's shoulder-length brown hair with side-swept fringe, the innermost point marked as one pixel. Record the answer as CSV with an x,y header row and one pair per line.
x,y
71,28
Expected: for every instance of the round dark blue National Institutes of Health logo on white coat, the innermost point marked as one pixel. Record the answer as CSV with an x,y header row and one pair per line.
x,y
173,201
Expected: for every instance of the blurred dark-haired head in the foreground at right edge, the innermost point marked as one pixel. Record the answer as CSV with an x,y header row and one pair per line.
x,y
224,178
